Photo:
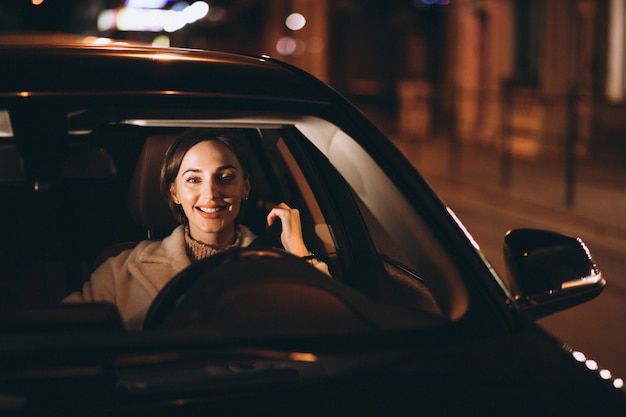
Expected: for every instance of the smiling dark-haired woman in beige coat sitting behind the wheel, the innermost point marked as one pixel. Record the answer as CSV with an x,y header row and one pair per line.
x,y
205,178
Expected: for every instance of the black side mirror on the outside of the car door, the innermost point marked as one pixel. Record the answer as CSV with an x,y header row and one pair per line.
x,y
550,272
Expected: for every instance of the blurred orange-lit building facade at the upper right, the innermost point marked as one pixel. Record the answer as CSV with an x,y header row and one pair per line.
x,y
538,77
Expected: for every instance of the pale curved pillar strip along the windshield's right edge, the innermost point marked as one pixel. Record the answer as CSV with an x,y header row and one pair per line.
x,y
407,243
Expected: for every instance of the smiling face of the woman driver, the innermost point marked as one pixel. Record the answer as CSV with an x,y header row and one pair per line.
x,y
210,186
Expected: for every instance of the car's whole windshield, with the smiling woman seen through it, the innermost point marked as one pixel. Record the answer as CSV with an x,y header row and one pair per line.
x,y
87,203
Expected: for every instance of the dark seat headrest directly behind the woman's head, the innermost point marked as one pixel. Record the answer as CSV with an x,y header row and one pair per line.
x,y
147,205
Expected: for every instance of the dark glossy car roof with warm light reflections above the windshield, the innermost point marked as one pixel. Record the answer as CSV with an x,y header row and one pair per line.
x,y
35,64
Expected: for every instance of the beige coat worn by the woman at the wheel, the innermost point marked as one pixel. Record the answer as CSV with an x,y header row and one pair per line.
x,y
132,279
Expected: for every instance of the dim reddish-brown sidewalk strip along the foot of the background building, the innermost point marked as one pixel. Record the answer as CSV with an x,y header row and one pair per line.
x,y
593,197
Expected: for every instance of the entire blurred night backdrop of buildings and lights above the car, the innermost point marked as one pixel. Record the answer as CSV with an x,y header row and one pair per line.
x,y
528,77
